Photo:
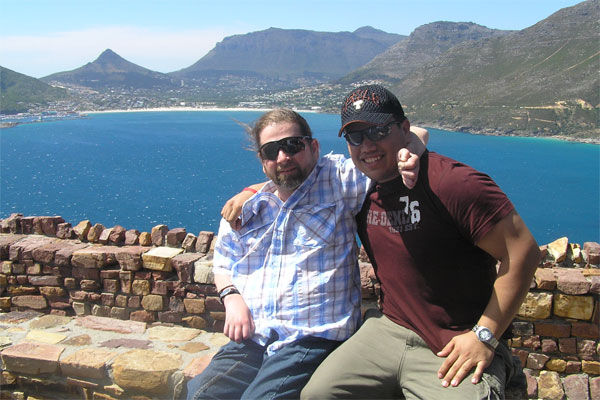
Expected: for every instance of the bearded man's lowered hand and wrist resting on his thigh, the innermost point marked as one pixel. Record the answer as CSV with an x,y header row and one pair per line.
x,y
239,324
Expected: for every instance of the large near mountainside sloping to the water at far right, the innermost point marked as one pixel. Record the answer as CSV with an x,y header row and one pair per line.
x,y
541,80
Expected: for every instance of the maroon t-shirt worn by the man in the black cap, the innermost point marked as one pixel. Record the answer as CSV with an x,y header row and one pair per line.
x,y
434,279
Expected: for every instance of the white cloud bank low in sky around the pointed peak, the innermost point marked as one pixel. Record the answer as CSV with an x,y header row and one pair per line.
x,y
161,51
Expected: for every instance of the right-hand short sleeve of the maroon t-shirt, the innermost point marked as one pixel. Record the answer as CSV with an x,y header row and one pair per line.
x,y
473,199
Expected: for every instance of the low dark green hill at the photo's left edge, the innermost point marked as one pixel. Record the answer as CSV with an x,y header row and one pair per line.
x,y
19,91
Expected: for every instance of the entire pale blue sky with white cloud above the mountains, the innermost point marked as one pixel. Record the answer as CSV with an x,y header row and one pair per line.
x,y
41,37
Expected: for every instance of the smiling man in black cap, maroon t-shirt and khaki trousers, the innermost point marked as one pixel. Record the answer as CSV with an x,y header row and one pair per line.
x,y
444,303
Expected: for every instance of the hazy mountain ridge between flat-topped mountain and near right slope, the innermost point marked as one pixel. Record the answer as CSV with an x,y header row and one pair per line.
x,y
424,45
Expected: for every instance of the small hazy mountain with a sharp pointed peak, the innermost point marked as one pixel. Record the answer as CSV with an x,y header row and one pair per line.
x,y
111,70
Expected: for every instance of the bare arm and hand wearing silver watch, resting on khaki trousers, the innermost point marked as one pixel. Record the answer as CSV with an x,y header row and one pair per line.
x,y
512,244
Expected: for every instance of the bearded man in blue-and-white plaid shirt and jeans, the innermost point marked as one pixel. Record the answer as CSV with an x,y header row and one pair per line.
x,y
287,277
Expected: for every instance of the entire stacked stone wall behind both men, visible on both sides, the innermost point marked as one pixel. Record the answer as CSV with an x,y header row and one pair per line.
x,y
165,275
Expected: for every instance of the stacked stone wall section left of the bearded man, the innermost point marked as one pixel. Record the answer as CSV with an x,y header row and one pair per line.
x,y
159,276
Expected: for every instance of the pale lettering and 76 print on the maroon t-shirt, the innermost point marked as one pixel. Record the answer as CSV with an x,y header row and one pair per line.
x,y
405,219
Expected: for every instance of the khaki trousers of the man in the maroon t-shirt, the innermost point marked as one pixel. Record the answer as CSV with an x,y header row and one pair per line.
x,y
384,360
